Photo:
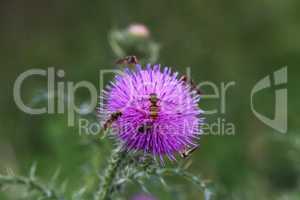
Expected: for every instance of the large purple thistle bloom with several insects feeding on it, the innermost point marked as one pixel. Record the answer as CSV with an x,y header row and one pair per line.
x,y
153,111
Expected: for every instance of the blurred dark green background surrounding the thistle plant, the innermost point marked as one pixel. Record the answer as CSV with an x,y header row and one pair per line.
x,y
241,41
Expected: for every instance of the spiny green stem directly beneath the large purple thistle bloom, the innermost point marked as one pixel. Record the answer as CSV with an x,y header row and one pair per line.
x,y
105,189
